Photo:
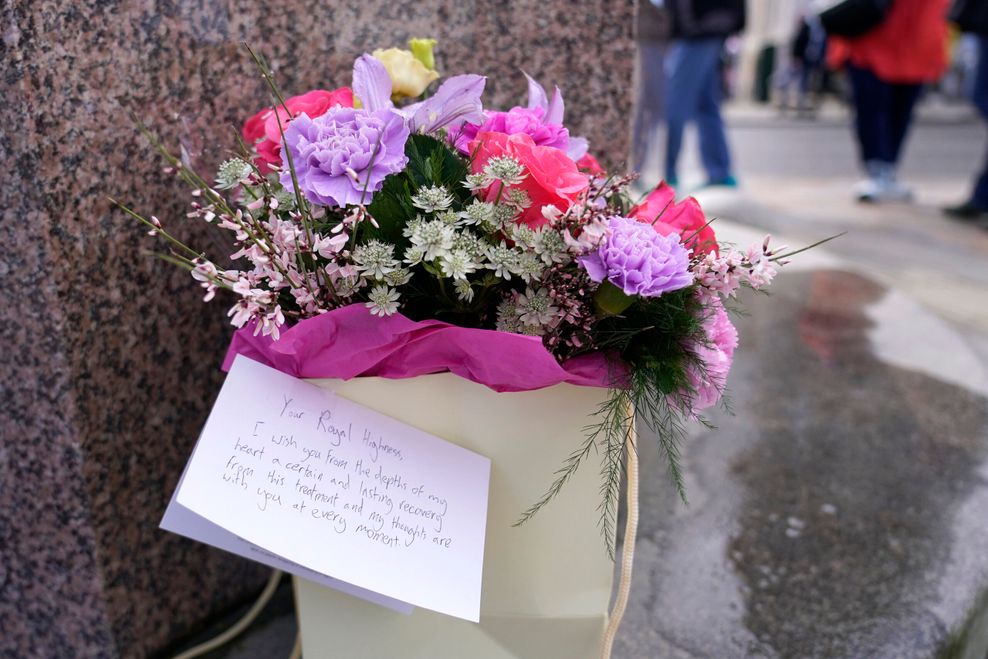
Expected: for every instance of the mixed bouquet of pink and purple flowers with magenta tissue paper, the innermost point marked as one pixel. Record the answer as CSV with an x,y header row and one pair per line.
x,y
398,208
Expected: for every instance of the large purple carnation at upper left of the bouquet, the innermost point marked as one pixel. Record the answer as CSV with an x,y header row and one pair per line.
x,y
342,157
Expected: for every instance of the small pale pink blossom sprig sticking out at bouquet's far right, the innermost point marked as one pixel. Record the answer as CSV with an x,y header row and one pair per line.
x,y
721,275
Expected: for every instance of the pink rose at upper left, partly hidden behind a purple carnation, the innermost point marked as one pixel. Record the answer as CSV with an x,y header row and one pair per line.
x,y
262,129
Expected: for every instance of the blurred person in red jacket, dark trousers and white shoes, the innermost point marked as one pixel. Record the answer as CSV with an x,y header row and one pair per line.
x,y
887,67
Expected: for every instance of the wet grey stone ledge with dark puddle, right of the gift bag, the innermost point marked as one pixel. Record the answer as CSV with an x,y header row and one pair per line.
x,y
841,512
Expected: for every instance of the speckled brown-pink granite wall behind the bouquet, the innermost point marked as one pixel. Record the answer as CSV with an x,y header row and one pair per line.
x,y
109,359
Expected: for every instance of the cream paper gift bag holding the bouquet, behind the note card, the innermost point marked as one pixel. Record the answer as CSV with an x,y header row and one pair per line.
x,y
546,584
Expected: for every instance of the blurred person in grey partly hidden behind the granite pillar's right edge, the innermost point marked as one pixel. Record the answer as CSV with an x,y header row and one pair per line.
x,y
653,40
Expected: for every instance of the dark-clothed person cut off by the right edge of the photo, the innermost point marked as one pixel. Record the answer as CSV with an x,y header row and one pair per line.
x,y
971,16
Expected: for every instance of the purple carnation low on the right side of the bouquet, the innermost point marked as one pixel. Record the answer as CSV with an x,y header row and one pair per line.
x,y
639,261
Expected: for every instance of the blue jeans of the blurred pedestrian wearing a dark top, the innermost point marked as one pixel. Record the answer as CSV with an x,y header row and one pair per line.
x,y
693,93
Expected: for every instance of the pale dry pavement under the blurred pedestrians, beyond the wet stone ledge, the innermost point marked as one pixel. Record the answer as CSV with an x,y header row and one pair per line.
x,y
796,178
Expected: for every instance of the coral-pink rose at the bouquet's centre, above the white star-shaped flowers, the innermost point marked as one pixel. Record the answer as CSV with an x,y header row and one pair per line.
x,y
551,178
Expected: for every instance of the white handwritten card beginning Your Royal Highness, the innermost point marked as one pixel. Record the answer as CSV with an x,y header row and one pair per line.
x,y
341,490
